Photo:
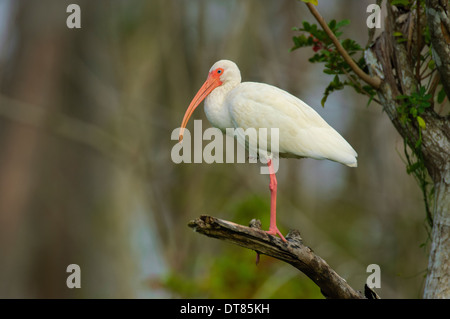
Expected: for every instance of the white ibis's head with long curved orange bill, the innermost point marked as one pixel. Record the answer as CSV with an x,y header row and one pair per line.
x,y
223,72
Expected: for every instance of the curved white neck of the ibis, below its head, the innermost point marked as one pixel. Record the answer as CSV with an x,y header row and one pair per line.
x,y
216,108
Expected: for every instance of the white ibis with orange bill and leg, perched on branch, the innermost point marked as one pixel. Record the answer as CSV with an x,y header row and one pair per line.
x,y
302,132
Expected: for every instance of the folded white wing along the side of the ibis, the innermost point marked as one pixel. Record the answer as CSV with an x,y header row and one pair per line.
x,y
303,132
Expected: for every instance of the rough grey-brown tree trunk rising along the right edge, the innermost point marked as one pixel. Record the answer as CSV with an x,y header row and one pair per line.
x,y
394,63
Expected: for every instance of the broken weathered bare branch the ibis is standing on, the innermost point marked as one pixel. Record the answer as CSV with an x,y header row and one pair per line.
x,y
293,252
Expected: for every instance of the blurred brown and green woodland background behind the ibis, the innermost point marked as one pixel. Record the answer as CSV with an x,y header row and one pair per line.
x,y
86,176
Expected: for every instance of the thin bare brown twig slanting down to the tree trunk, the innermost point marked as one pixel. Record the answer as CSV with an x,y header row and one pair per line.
x,y
373,81
